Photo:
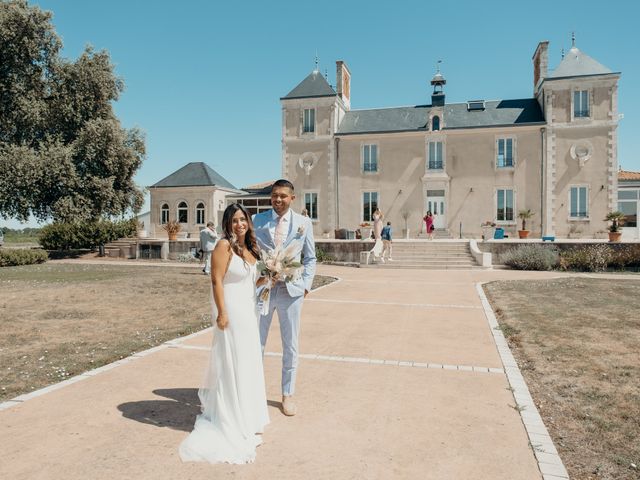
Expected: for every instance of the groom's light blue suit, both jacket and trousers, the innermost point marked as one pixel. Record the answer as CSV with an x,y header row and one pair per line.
x,y
286,298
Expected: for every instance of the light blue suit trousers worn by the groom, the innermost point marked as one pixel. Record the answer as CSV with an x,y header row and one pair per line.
x,y
289,309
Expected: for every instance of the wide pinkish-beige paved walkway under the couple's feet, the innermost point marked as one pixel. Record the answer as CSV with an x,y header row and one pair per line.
x,y
399,378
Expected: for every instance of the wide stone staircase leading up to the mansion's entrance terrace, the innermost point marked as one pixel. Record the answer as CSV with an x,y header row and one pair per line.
x,y
428,255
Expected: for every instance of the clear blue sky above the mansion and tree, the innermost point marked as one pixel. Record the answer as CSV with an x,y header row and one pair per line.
x,y
204,78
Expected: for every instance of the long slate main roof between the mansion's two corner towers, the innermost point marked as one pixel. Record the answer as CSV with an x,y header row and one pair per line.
x,y
456,115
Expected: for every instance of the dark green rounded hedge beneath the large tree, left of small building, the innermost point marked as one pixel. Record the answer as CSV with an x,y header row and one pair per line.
x,y
70,236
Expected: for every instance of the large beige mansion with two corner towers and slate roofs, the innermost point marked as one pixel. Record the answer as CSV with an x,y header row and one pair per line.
x,y
468,162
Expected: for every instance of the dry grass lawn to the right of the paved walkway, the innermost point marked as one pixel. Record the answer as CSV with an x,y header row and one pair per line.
x,y
577,341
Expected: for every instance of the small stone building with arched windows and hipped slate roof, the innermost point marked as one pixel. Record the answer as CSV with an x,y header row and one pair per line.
x,y
193,195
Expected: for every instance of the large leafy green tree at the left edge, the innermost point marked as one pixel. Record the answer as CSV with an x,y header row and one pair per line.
x,y
63,153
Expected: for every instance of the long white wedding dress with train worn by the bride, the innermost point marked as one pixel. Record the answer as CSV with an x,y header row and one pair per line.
x,y
233,398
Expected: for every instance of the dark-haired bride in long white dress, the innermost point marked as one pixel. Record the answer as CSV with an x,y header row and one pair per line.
x,y
233,399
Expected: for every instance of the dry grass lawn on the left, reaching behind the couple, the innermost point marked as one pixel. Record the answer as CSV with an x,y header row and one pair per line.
x,y
59,320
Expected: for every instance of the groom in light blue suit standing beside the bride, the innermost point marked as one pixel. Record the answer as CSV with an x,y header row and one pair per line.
x,y
279,227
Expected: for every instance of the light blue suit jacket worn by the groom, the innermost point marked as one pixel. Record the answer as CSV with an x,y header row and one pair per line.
x,y
301,231
